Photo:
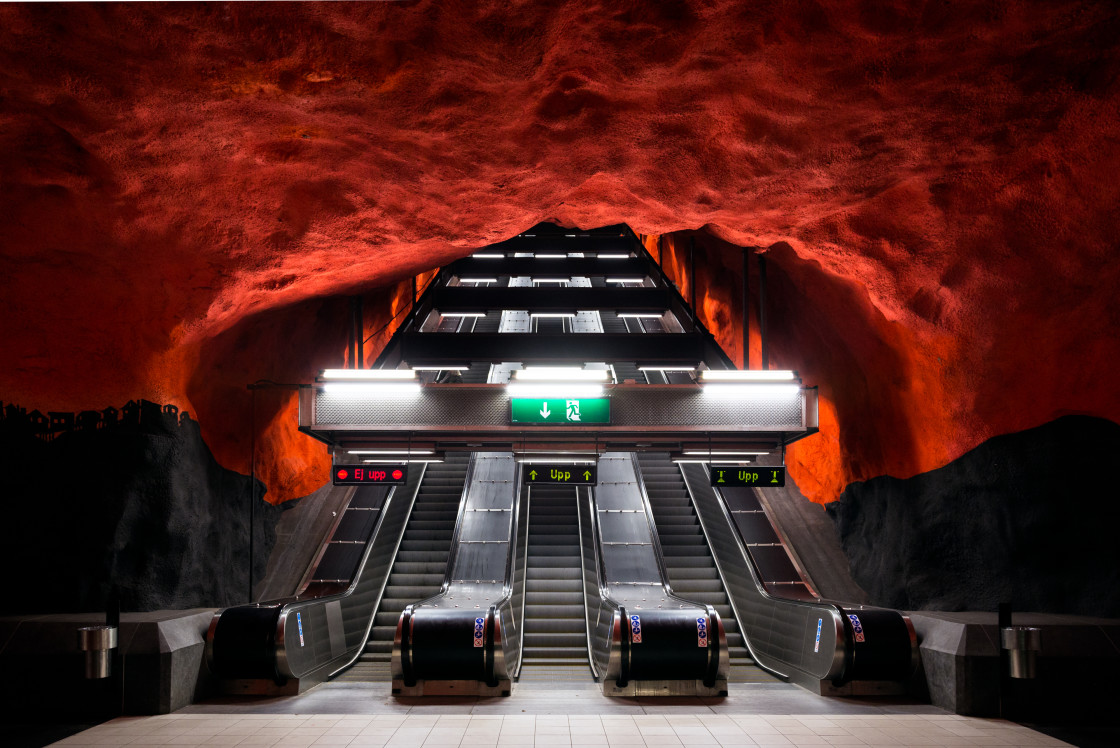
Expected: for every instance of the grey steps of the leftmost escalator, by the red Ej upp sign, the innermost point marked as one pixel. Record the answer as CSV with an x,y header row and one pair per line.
x,y
421,565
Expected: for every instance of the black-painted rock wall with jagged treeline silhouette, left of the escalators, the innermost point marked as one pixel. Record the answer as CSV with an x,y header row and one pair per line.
x,y
141,506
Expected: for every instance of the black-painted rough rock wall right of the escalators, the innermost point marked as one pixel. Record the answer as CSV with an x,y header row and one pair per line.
x,y
1025,518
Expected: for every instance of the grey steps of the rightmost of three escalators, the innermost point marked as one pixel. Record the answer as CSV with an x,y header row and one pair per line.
x,y
689,565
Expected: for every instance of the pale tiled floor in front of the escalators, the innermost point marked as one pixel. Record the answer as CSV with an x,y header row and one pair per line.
x,y
366,715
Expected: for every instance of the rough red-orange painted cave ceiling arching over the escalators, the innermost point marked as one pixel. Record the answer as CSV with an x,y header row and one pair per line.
x,y
186,188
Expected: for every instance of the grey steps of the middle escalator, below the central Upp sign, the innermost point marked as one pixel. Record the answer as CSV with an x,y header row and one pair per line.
x,y
556,630
